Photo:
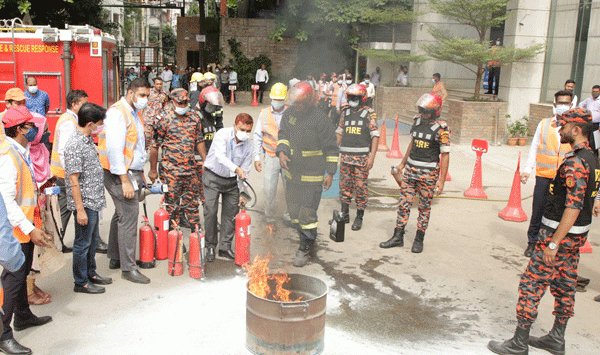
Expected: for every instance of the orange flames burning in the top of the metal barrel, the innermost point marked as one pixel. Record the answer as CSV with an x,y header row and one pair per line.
x,y
259,277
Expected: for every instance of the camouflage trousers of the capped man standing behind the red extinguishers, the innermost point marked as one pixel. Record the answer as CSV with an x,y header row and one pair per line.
x,y
184,196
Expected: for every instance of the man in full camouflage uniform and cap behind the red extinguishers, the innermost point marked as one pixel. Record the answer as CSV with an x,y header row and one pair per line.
x,y
178,134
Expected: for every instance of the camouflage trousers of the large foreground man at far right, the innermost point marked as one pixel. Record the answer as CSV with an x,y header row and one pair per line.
x,y
561,277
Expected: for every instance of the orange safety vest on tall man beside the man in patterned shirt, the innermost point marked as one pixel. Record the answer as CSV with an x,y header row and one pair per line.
x,y
130,136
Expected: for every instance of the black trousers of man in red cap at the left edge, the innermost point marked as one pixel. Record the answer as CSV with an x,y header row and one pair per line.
x,y
15,293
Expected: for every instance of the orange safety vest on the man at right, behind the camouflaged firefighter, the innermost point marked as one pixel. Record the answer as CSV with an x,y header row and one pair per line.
x,y
550,152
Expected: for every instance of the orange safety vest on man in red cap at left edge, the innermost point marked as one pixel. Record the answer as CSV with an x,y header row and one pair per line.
x,y
26,191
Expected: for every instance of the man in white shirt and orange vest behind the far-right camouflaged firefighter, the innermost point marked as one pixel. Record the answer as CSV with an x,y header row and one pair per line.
x,y
545,155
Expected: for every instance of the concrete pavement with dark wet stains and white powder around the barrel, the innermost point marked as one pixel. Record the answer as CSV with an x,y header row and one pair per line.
x,y
451,299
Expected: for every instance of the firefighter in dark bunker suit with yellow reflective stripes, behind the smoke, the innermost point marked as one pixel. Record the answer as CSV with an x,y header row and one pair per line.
x,y
307,150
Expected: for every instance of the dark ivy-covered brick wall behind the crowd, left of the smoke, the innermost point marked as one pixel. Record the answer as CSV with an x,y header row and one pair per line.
x,y
253,34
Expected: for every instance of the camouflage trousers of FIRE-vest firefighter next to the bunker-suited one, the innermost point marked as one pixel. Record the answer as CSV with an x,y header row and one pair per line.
x,y
353,182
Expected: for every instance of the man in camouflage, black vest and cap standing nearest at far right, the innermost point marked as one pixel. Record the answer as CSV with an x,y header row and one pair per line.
x,y
565,225
